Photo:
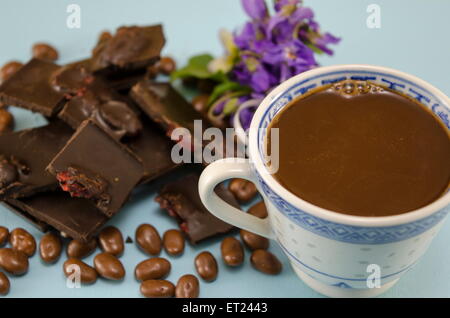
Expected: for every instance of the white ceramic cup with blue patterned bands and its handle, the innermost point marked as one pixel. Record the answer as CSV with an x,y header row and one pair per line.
x,y
332,252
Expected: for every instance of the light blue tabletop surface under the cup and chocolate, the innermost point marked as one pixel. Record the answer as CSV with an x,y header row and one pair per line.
x,y
413,38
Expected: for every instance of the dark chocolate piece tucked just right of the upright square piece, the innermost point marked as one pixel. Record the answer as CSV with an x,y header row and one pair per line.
x,y
153,148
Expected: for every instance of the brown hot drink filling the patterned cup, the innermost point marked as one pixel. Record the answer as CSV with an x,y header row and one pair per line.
x,y
358,148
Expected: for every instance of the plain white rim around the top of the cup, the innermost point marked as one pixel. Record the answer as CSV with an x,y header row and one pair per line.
x,y
363,221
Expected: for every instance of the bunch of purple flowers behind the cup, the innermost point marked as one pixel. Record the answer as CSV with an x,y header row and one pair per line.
x,y
270,50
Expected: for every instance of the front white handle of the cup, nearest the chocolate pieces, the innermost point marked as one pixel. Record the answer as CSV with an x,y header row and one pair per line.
x,y
219,171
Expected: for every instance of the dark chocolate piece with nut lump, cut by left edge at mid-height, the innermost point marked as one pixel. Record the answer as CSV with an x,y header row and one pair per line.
x,y
24,155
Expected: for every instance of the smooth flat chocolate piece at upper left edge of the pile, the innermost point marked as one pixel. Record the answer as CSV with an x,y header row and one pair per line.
x,y
30,88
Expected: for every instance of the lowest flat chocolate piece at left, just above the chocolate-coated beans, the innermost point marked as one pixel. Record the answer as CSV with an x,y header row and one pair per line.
x,y
76,217
